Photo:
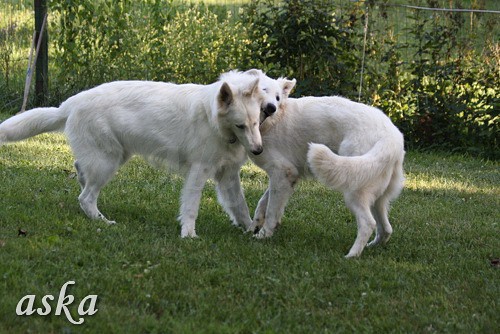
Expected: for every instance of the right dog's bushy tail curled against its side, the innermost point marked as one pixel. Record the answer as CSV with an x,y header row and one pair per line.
x,y
354,172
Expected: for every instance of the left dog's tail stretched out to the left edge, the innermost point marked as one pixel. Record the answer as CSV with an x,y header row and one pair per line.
x,y
33,122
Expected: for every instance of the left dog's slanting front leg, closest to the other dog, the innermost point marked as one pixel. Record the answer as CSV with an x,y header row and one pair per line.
x,y
231,196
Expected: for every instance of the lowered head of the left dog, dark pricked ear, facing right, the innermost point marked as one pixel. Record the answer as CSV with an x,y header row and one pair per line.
x,y
239,103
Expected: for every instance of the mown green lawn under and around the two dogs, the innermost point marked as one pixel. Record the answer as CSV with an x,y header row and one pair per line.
x,y
433,276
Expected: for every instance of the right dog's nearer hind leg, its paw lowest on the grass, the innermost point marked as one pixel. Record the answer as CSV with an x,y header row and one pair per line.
x,y
360,207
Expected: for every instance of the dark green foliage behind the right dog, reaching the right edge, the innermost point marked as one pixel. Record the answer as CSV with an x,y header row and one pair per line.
x,y
445,96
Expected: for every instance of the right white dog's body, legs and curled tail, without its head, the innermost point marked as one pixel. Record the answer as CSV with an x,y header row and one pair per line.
x,y
367,167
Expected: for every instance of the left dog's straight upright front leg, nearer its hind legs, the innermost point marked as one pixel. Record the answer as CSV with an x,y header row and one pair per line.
x,y
190,199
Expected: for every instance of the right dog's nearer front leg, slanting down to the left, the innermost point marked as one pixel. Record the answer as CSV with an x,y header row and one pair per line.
x,y
281,184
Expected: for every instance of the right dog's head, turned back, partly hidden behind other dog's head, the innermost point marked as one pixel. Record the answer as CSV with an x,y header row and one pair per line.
x,y
275,92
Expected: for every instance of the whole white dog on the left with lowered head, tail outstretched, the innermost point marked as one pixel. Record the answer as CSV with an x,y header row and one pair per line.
x,y
203,131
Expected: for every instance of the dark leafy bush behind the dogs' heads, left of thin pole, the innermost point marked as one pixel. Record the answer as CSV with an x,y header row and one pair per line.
x,y
305,40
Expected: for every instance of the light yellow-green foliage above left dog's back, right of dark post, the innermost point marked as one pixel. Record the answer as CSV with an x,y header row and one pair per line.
x,y
99,41
